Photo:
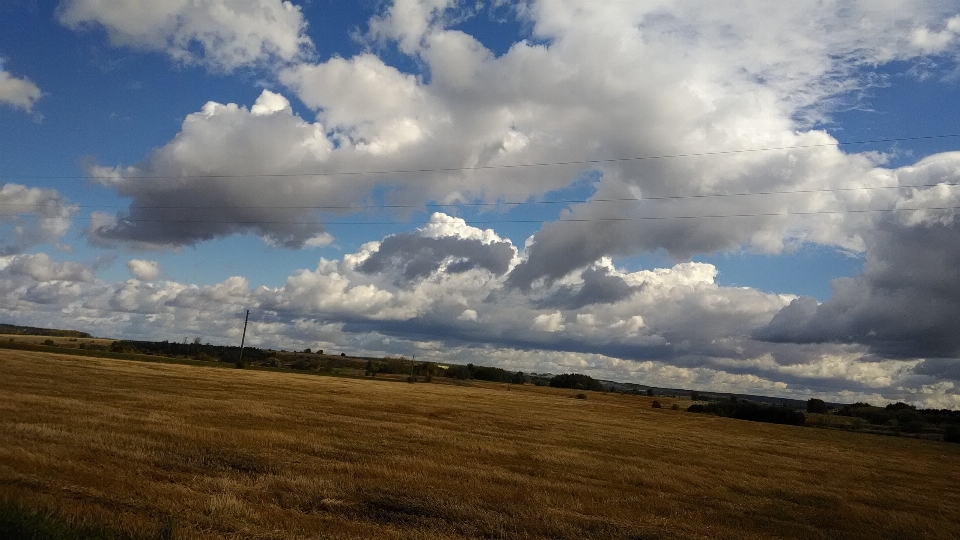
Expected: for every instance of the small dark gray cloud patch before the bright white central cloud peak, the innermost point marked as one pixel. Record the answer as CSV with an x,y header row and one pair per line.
x,y
415,257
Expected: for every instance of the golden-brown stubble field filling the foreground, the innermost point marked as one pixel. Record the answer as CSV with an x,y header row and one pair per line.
x,y
245,454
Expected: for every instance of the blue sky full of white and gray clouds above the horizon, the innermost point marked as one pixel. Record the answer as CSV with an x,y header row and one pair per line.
x,y
738,196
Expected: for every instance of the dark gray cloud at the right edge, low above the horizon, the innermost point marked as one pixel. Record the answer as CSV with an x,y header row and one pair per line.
x,y
906,303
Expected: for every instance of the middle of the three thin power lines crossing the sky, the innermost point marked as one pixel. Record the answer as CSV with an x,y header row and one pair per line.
x,y
509,203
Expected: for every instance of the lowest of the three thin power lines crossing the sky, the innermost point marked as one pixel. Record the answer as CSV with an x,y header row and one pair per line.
x,y
562,220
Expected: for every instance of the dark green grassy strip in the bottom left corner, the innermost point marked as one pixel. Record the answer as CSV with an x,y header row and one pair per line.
x,y
20,522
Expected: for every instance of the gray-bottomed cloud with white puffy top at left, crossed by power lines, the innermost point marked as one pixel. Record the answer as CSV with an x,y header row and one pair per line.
x,y
202,184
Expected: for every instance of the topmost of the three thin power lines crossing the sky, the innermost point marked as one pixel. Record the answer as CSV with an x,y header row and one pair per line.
x,y
517,165
